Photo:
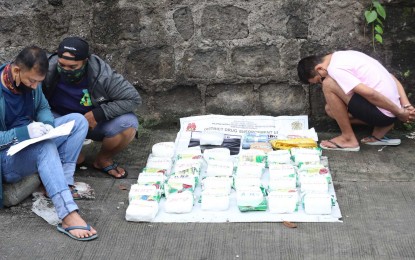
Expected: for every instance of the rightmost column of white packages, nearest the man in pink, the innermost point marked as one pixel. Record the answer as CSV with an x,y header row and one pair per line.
x,y
314,179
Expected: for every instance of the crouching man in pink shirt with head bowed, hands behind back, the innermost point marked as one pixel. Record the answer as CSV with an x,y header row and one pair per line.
x,y
358,90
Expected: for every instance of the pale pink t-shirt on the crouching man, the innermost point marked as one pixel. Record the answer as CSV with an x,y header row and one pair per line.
x,y
350,68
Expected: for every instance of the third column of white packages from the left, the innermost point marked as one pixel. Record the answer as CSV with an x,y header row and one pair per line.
x,y
217,180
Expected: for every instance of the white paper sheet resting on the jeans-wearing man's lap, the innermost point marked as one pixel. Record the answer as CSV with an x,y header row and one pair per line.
x,y
61,130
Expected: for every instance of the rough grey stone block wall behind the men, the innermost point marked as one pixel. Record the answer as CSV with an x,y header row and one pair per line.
x,y
234,57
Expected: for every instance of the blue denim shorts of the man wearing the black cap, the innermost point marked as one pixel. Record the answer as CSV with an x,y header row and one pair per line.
x,y
113,127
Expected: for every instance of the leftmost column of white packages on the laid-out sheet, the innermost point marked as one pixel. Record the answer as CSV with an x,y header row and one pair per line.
x,y
144,197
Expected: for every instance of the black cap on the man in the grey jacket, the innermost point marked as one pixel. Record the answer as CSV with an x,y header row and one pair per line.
x,y
74,45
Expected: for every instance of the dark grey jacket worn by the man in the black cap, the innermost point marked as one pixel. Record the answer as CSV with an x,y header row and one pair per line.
x,y
111,94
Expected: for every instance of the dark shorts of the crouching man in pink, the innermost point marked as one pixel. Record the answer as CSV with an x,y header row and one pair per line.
x,y
362,109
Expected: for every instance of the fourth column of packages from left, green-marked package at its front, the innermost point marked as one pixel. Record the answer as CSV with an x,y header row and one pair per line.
x,y
250,194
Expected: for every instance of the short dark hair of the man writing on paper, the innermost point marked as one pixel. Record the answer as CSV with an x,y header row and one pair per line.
x,y
33,57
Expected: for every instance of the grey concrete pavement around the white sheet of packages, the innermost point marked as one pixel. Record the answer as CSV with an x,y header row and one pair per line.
x,y
374,187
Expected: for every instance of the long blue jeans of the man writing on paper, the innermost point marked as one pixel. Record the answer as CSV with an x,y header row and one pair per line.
x,y
54,160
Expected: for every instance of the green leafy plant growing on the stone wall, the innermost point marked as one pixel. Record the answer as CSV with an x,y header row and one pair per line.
x,y
373,17
